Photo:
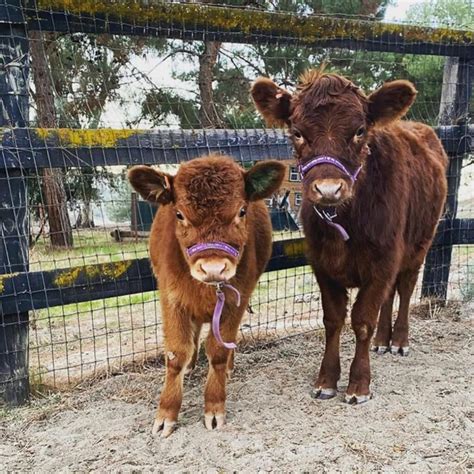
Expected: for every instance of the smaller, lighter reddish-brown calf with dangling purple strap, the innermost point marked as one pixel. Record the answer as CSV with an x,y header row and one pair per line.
x,y
212,228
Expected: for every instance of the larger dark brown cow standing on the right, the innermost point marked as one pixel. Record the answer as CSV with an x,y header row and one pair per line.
x,y
373,191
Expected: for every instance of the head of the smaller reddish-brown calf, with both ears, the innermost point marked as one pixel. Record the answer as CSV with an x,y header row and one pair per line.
x,y
209,197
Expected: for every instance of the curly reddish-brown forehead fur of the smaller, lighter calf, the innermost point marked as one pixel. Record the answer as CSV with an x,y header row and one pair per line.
x,y
214,184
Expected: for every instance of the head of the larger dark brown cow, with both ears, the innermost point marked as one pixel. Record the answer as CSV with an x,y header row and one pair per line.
x,y
328,116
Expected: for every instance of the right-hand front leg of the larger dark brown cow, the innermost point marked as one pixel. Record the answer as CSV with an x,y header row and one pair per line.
x,y
364,319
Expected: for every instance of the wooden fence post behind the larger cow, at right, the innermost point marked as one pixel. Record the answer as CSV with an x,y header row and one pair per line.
x,y
454,110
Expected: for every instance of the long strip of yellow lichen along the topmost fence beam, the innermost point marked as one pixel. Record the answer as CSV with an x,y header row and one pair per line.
x,y
306,29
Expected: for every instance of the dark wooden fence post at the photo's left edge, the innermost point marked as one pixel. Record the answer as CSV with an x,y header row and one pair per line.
x,y
14,70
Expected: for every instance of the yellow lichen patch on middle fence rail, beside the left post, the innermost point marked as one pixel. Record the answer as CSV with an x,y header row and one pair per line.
x,y
75,138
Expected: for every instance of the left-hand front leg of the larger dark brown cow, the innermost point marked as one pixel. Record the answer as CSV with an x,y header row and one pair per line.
x,y
334,299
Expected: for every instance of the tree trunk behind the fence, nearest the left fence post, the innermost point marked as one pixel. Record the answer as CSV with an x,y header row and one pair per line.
x,y
54,193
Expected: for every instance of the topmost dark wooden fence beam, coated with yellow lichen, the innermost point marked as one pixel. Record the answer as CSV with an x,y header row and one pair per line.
x,y
194,21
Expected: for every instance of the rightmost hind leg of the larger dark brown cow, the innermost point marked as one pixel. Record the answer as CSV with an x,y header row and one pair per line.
x,y
406,285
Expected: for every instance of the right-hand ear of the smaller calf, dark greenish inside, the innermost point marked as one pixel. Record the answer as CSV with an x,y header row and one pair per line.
x,y
263,179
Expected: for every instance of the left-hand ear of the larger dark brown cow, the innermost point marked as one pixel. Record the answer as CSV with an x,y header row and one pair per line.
x,y
272,101
